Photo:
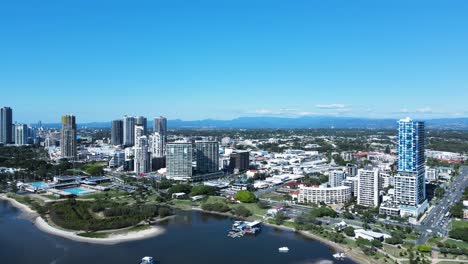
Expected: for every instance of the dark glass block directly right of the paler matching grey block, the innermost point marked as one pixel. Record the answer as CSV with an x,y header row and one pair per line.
x,y
207,155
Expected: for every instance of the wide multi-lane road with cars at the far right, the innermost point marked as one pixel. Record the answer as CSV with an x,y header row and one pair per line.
x,y
436,221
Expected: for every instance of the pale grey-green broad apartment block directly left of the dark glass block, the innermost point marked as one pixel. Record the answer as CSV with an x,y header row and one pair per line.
x,y
179,161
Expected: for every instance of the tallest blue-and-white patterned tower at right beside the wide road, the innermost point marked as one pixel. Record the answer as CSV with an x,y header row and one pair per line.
x,y
410,189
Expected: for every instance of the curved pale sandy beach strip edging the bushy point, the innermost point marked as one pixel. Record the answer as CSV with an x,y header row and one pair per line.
x,y
42,225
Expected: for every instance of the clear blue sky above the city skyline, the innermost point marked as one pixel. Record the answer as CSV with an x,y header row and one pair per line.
x,y
199,59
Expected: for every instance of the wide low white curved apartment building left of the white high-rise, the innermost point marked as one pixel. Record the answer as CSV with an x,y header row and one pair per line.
x,y
333,195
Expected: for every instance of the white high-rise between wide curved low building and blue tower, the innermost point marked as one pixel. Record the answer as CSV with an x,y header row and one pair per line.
x,y
368,190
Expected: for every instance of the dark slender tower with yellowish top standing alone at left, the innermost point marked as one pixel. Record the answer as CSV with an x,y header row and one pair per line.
x,y
68,137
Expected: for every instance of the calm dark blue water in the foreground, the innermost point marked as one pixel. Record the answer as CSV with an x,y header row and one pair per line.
x,y
191,237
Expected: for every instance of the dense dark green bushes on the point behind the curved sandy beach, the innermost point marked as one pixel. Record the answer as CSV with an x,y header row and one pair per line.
x,y
79,215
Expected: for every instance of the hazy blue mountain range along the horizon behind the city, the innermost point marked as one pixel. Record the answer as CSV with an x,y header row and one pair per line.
x,y
300,122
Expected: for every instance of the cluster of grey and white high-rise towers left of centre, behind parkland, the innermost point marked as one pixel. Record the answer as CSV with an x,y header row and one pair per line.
x,y
150,151
